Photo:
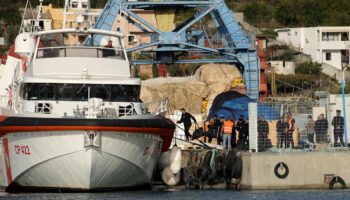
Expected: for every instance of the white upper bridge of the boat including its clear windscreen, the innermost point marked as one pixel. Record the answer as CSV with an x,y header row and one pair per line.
x,y
87,54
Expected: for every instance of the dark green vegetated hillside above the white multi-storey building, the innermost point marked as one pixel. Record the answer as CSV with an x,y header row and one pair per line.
x,y
293,13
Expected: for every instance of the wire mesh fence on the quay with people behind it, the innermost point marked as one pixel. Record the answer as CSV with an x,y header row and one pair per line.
x,y
297,126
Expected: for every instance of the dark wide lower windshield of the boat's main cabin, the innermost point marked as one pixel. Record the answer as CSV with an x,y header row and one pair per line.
x,y
80,92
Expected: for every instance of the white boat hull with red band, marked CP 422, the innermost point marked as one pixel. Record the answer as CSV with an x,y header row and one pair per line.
x,y
89,159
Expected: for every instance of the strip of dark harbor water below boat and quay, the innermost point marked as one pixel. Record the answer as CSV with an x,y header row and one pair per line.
x,y
191,194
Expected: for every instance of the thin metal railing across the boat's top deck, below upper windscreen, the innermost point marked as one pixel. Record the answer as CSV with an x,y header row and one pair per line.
x,y
80,51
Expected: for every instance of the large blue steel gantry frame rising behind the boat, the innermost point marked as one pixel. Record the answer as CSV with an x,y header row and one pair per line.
x,y
235,45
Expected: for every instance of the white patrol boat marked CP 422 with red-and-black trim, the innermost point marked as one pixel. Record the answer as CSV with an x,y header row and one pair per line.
x,y
70,115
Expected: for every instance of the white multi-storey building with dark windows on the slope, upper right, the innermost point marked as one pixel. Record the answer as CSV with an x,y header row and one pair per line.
x,y
328,45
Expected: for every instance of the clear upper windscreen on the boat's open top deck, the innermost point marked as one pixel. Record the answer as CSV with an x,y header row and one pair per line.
x,y
80,45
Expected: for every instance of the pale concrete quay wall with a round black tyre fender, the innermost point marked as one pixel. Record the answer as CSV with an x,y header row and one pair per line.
x,y
306,170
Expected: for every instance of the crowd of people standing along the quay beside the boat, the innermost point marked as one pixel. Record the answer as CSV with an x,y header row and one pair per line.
x,y
235,134
